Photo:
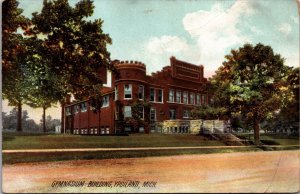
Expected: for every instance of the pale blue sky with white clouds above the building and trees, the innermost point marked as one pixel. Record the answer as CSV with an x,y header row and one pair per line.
x,y
196,31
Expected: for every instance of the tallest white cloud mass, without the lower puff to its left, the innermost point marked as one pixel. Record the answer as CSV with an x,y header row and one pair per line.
x,y
217,30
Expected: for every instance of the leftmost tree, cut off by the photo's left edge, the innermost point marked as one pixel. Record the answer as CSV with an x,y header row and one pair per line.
x,y
13,54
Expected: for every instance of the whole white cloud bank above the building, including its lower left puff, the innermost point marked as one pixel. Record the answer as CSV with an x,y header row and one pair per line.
x,y
212,32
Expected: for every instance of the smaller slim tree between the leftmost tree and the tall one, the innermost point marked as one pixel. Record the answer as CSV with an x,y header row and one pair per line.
x,y
45,89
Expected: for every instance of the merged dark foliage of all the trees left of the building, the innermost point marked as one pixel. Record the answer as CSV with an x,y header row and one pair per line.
x,y
59,53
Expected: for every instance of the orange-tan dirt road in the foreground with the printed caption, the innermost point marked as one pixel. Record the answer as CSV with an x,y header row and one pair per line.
x,y
277,171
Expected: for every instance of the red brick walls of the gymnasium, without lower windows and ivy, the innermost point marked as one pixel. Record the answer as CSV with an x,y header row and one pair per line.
x,y
135,73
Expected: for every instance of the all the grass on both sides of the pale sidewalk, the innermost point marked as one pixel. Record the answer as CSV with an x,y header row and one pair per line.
x,y
17,141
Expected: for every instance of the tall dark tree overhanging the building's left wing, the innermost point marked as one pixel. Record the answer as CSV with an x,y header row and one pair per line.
x,y
74,46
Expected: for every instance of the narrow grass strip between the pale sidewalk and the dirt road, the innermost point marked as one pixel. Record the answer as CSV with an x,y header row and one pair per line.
x,y
11,158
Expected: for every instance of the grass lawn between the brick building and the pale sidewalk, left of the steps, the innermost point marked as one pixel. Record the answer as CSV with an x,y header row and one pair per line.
x,y
34,141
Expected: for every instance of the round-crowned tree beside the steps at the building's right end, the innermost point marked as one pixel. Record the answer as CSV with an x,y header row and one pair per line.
x,y
252,82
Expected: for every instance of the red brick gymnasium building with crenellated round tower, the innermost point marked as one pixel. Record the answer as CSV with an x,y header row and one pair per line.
x,y
136,102
